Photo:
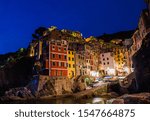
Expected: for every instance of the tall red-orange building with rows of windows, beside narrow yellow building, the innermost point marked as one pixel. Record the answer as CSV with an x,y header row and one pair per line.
x,y
58,58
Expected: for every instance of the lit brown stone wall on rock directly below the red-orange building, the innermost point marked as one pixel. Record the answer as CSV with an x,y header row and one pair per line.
x,y
54,86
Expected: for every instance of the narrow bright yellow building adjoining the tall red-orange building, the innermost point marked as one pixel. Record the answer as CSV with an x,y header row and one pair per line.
x,y
71,64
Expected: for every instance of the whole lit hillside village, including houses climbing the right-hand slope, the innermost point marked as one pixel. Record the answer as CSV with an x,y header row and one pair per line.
x,y
65,53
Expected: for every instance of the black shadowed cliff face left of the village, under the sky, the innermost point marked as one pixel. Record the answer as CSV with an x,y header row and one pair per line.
x,y
16,74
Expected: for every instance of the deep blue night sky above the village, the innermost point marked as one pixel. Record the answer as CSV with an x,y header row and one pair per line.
x,y
19,18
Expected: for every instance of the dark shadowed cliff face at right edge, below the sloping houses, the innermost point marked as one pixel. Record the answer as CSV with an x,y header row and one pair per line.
x,y
141,62
